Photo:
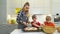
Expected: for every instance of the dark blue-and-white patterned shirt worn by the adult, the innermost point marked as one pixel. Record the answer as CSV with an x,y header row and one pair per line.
x,y
21,17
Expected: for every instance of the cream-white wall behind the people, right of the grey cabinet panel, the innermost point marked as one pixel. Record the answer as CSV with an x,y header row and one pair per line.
x,y
36,6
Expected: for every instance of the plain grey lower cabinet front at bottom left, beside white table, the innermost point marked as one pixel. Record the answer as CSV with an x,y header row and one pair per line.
x,y
6,28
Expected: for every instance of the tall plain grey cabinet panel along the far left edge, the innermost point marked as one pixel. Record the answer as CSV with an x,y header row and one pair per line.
x,y
3,11
